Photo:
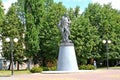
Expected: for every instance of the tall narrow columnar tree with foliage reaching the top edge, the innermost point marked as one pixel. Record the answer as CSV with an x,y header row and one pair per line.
x,y
33,21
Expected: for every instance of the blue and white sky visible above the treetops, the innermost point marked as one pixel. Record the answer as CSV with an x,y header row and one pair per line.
x,y
73,3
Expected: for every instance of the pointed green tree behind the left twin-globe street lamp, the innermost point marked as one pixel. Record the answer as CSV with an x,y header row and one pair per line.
x,y
12,29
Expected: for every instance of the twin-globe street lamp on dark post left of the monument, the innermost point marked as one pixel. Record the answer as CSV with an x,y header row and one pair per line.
x,y
11,48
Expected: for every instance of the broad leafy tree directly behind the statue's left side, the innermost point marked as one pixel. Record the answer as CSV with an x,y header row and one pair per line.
x,y
50,35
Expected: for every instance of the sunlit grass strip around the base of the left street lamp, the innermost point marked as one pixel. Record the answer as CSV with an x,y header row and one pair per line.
x,y
8,72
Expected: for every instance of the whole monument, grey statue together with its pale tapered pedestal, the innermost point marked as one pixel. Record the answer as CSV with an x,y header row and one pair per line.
x,y
66,59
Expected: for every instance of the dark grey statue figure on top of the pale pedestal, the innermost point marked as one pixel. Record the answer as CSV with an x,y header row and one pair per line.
x,y
63,26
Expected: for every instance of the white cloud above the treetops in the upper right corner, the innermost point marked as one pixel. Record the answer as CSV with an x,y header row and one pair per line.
x,y
115,3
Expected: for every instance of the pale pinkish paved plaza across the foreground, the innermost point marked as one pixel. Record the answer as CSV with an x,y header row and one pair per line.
x,y
81,75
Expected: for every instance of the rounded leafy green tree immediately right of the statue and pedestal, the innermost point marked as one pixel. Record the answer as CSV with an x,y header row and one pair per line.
x,y
85,38
